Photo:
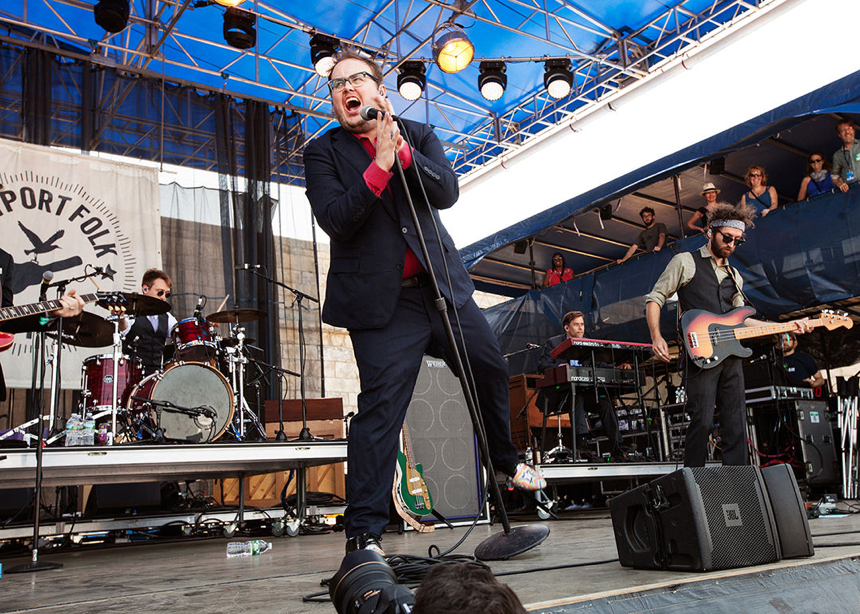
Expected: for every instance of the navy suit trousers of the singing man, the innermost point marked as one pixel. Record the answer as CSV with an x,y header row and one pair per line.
x,y
388,361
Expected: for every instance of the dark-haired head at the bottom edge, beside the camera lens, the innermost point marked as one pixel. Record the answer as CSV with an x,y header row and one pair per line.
x,y
456,588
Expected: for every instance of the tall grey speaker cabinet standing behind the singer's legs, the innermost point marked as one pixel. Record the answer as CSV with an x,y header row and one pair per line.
x,y
443,441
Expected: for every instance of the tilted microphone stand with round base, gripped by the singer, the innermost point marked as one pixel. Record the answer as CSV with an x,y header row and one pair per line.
x,y
514,540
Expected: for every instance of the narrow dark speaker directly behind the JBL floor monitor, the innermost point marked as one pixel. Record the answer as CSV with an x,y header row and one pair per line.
x,y
795,538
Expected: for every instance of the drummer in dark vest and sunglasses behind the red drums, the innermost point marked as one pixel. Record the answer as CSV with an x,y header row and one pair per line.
x,y
145,337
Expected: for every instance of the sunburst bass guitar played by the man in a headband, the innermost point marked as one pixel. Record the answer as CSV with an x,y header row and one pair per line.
x,y
710,338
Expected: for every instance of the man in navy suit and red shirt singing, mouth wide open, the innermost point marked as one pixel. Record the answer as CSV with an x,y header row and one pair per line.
x,y
378,286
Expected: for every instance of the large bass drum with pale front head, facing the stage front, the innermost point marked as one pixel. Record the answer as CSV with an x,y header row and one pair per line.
x,y
190,385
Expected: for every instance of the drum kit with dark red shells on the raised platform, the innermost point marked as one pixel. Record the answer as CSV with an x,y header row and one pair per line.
x,y
192,398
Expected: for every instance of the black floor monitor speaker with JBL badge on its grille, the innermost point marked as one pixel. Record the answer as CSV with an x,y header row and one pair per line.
x,y
697,519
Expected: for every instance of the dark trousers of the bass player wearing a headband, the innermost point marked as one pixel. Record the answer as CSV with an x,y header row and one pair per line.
x,y
721,387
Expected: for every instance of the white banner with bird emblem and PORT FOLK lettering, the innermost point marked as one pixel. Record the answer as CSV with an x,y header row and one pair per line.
x,y
69,213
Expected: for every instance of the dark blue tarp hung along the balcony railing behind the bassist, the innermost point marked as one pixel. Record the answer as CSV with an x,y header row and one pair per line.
x,y
801,256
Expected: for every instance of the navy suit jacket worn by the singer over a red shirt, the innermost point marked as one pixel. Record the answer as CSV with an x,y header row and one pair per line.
x,y
367,232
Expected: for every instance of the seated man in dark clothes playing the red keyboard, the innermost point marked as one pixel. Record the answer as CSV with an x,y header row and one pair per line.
x,y
558,401
